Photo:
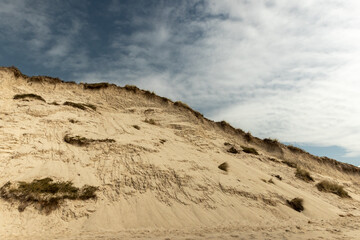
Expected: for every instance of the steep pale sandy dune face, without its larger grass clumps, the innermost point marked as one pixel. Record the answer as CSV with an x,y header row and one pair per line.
x,y
155,164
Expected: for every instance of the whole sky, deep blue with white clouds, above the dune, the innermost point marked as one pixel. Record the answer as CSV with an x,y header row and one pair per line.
x,y
281,69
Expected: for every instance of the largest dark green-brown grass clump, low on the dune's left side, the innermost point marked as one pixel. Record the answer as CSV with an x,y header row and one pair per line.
x,y
45,194
